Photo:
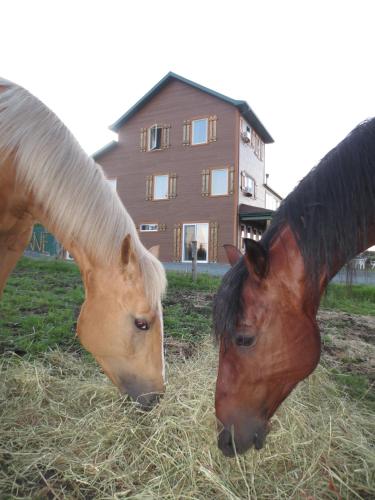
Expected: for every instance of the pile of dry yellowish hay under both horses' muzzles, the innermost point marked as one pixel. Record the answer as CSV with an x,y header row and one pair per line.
x,y
65,433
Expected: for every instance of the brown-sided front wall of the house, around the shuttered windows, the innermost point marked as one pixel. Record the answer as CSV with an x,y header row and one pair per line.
x,y
172,105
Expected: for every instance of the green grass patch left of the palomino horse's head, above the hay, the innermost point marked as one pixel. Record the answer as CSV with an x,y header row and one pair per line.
x,y
39,307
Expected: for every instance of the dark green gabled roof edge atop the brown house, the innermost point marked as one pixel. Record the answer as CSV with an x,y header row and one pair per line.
x,y
242,106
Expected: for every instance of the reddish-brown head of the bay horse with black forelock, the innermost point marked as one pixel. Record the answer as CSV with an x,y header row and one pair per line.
x,y
269,340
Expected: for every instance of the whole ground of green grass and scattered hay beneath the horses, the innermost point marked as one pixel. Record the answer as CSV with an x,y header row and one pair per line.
x,y
66,433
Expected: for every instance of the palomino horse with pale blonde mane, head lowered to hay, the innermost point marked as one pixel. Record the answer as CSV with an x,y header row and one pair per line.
x,y
45,176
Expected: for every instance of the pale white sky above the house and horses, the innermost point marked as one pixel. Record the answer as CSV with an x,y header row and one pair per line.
x,y
306,68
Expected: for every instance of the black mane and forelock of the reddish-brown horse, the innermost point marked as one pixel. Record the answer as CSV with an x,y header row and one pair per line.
x,y
329,212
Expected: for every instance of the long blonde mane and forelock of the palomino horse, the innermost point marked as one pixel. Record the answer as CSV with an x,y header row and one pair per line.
x,y
69,185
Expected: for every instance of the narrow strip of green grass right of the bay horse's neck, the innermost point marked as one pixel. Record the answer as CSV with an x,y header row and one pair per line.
x,y
357,299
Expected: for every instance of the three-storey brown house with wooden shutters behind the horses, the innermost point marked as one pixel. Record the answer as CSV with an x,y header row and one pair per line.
x,y
189,164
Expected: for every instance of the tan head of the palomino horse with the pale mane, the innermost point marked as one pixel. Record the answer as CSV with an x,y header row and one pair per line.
x,y
121,328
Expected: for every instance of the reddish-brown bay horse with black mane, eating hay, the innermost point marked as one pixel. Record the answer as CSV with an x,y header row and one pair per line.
x,y
265,310
